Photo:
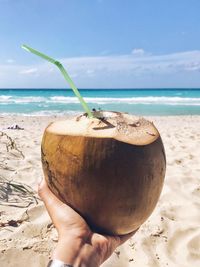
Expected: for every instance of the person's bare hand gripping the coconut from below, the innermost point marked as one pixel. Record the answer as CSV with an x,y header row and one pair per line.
x,y
77,244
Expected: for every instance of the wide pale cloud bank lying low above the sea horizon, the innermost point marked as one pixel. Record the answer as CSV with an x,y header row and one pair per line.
x,y
176,69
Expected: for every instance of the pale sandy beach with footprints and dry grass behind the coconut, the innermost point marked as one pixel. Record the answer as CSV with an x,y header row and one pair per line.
x,y
170,237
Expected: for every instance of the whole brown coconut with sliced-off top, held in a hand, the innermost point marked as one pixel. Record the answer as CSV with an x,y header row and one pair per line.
x,y
109,168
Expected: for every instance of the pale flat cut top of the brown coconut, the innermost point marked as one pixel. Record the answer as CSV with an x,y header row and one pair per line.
x,y
108,124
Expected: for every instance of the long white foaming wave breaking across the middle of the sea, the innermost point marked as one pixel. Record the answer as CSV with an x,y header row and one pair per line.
x,y
101,100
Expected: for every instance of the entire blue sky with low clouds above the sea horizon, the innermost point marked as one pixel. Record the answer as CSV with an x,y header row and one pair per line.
x,y
102,43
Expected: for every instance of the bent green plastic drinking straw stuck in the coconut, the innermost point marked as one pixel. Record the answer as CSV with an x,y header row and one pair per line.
x,y
65,74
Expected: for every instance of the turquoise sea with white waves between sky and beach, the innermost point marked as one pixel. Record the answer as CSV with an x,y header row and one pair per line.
x,y
136,101
